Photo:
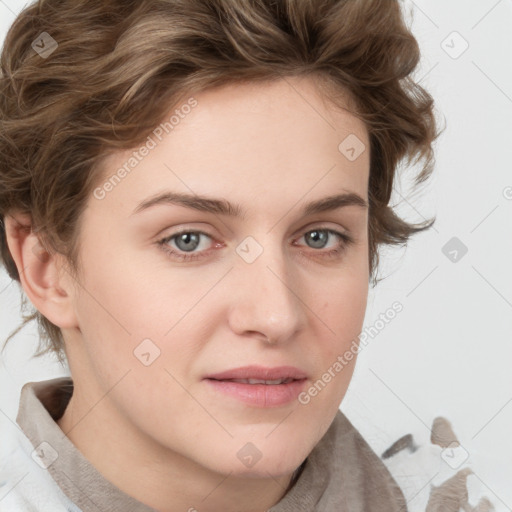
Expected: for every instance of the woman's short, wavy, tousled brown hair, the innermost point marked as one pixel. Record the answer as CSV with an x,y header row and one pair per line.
x,y
121,64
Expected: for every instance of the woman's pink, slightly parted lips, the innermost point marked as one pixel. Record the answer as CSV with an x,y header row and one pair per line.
x,y
260,395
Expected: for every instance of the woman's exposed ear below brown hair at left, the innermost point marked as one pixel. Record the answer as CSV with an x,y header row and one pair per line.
x,y
46,283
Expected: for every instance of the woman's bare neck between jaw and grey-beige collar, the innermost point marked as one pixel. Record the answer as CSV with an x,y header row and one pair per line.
x,y
157,476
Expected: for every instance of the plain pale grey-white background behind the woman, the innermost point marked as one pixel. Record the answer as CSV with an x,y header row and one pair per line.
x,y
448,353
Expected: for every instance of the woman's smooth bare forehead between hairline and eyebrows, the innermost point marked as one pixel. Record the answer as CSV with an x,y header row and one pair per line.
x,y
253,141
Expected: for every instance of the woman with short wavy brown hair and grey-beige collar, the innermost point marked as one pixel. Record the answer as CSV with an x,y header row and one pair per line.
x,y
266,137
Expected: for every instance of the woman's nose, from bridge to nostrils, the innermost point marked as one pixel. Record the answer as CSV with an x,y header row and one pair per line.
x,y
266,297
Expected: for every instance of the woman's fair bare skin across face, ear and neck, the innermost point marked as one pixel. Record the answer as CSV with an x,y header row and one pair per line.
x,y
159,432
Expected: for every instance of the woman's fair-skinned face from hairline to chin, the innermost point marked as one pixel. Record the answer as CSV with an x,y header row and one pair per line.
x,y
268,281
